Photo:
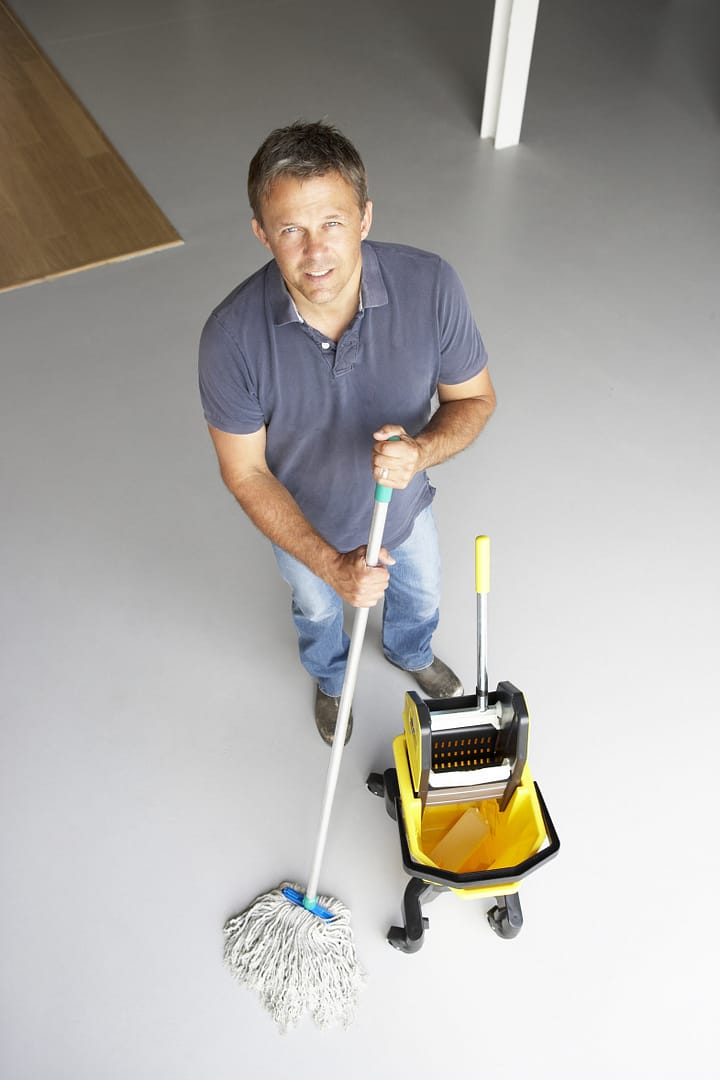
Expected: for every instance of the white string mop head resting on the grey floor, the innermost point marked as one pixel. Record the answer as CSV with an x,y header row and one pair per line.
x,y
296,962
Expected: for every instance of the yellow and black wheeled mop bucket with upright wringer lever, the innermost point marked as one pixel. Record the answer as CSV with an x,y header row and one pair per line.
x,y
471,818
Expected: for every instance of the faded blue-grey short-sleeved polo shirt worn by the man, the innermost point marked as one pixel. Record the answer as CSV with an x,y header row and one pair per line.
x,y
262,364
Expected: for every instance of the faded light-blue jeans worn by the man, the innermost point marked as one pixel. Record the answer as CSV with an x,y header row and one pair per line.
x,y
410,617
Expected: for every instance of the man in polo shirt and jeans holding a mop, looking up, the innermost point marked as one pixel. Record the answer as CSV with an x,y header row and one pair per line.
x,y
307,372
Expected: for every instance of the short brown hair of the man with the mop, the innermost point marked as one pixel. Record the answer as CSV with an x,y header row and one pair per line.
x,y
304,151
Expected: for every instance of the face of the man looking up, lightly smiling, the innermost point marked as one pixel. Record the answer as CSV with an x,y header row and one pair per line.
x,y
315,229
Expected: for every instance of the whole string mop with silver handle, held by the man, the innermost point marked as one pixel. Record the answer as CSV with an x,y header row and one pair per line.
x,y
295,949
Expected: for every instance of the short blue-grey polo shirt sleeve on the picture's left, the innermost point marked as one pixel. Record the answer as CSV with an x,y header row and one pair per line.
x,y
228,387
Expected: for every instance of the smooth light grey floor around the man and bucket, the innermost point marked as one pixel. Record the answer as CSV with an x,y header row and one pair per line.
x,y
160,765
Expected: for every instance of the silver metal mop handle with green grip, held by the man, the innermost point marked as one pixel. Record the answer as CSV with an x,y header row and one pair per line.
x,y
383,497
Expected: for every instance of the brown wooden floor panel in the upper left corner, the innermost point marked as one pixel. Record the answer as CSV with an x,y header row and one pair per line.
x,y
67,200
